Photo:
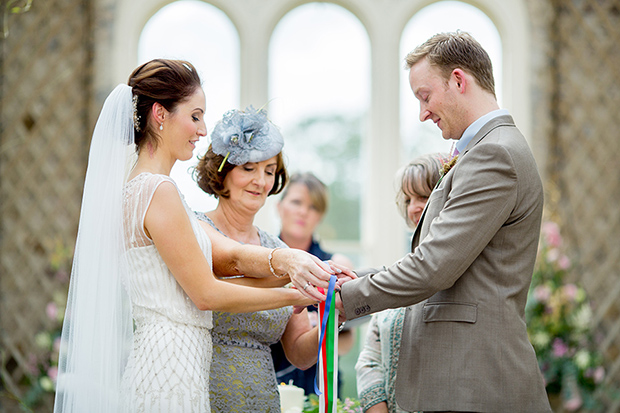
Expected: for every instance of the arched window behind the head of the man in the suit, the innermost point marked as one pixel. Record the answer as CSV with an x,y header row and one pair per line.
x,y
444,16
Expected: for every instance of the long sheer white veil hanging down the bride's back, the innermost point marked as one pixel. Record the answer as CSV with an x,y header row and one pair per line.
x,y
97,331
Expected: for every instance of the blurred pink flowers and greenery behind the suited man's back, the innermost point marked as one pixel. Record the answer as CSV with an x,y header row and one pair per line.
x,y
558,317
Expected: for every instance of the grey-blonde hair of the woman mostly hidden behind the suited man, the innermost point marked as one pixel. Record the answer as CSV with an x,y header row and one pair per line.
x,y
419,177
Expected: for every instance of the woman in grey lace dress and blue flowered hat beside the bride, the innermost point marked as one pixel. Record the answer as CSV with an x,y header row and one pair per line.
x,y
243,166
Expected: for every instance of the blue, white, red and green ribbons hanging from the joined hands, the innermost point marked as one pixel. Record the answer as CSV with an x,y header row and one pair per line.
x,y
327,358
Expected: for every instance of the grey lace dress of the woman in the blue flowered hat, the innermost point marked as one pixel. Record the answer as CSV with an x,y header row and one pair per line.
x,y
242,374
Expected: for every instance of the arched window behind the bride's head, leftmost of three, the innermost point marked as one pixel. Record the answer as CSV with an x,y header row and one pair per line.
x,y
203,35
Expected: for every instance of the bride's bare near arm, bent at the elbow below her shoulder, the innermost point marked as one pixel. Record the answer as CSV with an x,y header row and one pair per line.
x,y
168,225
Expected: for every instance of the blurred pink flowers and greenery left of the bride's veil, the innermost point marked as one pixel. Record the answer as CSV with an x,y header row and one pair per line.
x,y
43,364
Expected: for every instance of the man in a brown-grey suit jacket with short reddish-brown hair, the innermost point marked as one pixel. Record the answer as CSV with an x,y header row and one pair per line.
x,y
464,343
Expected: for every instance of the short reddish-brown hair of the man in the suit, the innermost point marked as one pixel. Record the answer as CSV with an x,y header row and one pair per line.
x,y
448,51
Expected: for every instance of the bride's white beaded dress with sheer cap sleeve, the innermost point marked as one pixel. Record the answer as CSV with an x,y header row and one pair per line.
x,y
168,367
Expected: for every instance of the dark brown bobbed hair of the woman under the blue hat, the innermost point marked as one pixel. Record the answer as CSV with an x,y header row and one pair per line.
x,y
211,180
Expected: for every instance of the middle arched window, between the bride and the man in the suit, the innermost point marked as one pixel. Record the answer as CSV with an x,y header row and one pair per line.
x,y
319,89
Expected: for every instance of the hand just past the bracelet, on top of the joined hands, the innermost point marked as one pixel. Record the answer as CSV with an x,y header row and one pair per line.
x,y
305,271
